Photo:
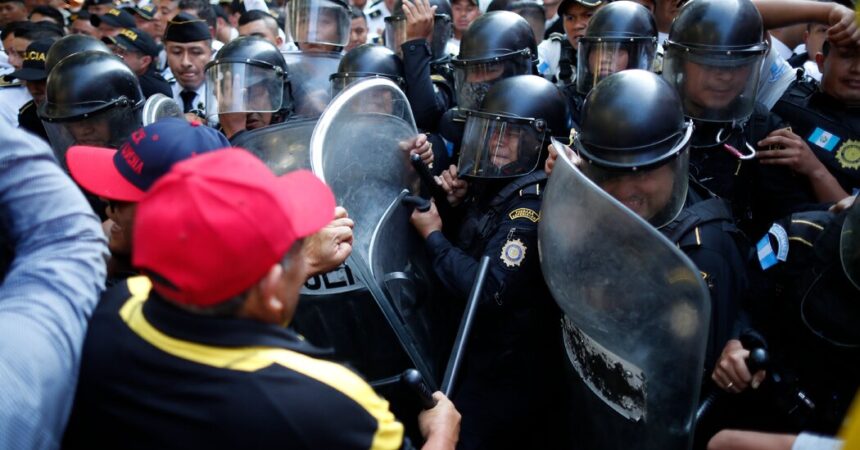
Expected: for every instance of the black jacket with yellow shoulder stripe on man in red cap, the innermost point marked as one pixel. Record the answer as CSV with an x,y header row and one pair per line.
x,y
155,376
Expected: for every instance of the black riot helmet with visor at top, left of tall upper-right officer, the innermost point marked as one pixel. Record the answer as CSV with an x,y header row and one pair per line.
x,y
621,35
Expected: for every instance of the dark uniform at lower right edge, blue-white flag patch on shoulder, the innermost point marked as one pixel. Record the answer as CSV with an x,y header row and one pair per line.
x,y
808,315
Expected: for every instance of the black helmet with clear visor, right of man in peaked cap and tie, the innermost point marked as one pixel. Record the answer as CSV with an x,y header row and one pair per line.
x,y
248,74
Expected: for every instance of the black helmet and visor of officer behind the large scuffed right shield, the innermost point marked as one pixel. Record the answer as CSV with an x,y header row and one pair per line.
x,y
634,131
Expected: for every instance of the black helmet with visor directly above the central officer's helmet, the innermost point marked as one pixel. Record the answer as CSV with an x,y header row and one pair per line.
x,y
497,45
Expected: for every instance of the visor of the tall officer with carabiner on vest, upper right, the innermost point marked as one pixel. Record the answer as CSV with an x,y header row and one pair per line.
x,y
714,86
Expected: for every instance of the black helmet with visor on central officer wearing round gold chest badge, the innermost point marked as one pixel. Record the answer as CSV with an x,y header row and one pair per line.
x,y
506,136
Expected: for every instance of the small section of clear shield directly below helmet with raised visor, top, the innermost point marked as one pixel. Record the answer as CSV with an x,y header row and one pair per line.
x,y
309,80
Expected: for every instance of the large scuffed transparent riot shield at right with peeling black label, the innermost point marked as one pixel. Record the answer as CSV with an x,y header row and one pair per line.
x,y
636,316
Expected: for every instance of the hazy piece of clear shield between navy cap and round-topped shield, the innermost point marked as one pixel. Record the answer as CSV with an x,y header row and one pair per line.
x,y
284,147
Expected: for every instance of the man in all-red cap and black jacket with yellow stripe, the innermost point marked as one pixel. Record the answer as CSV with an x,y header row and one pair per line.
x,y
196,355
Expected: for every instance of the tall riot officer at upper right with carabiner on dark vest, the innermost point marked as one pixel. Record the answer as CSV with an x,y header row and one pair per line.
x,y
712,57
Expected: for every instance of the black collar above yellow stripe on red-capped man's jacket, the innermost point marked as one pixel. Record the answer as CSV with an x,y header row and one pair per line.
x,y
221,331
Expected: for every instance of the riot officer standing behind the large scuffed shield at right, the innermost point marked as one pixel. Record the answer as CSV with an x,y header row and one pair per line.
x,y
642,161
